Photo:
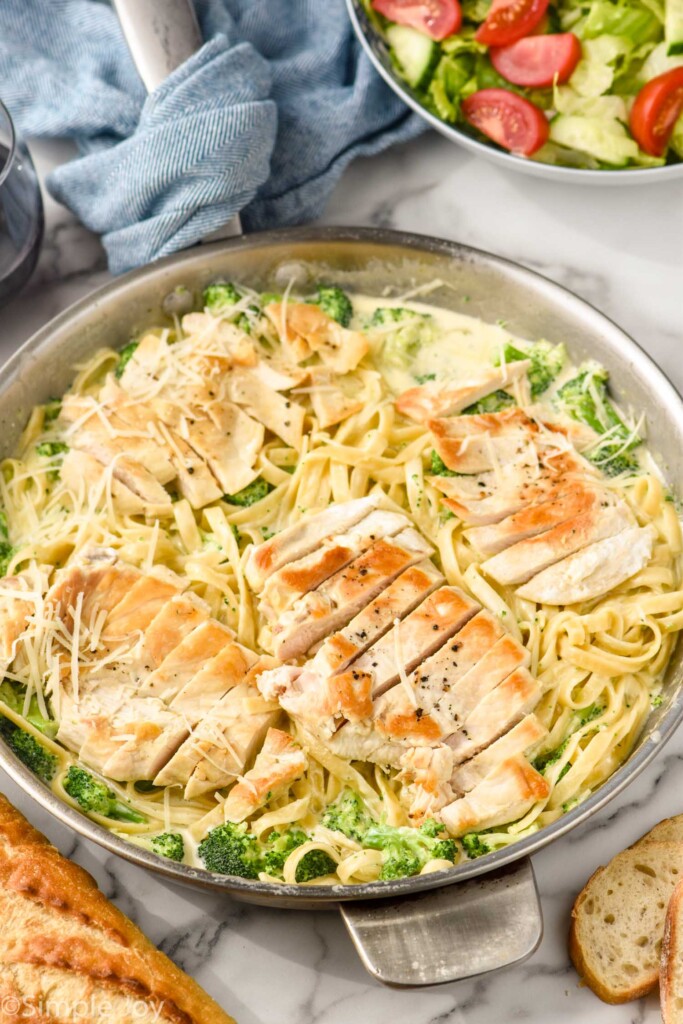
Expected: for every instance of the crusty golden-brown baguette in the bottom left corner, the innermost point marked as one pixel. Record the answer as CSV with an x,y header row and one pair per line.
x,y
64,946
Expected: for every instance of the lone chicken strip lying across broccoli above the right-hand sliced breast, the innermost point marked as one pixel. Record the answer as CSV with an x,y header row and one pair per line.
x,y
432,401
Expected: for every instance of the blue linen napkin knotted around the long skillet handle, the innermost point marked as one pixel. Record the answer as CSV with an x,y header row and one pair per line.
x,y
263,120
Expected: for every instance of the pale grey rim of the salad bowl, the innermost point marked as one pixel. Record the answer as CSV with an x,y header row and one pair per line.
x,y
376,50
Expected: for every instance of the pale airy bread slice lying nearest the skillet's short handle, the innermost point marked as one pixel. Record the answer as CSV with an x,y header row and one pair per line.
x,y
618,921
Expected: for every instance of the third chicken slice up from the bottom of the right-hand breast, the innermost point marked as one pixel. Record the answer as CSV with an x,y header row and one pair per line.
x,y
536,519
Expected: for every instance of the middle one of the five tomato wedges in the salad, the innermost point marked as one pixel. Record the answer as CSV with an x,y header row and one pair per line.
x,y
537,60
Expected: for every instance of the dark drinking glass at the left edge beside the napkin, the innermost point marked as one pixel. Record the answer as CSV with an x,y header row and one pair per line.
x,y
21,211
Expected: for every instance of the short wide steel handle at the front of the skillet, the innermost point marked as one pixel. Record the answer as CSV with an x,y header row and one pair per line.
x,y
451,933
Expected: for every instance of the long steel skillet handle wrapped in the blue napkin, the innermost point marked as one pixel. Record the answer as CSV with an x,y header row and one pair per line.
x,y
162,35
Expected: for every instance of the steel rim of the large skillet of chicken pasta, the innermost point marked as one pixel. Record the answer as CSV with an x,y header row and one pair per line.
x,y
301,895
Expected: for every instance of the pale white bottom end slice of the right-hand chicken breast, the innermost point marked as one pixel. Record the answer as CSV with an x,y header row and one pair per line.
x,y
594,571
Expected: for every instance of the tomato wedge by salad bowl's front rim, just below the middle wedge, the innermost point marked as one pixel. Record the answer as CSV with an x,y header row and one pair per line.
x,y
514,122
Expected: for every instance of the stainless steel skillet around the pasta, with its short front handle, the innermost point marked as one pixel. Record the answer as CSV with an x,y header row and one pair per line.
x,y
485,914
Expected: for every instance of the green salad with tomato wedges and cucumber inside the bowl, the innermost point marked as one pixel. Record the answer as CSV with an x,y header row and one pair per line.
x,y
594,84
